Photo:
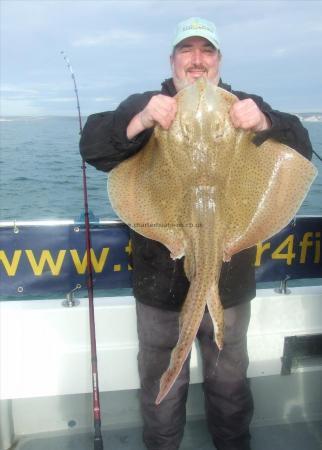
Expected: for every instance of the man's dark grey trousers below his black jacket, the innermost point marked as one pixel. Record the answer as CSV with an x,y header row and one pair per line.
x,y
228,400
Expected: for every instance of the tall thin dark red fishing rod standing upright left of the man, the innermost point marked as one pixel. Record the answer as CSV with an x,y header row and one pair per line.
x,y
98,440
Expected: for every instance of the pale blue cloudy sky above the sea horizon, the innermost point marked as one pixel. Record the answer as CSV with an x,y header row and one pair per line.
x,y
270,48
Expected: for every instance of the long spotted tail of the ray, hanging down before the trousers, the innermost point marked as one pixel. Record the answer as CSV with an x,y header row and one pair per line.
x,y
202,266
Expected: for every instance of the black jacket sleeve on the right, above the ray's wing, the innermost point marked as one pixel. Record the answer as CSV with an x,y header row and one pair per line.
x,y
286,128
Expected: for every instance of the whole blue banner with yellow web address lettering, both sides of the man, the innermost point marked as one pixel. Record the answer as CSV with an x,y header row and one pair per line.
x,y
44,260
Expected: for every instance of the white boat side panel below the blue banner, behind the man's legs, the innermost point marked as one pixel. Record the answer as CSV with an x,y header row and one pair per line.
x,y
45,347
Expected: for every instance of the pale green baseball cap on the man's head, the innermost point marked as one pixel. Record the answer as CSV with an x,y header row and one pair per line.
x,y
195,26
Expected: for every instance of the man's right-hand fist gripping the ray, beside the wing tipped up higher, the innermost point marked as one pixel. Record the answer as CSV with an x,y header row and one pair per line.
x,y
245,114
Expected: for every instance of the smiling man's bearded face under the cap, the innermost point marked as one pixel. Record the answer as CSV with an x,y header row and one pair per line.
x,y
194,57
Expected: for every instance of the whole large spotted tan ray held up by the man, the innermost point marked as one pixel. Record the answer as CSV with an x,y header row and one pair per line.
x,y
206,192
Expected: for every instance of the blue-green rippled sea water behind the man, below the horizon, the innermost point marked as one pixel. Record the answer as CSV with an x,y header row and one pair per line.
x,y
41,176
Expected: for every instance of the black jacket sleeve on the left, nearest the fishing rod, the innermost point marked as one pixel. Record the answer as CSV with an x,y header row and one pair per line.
x,y
104,142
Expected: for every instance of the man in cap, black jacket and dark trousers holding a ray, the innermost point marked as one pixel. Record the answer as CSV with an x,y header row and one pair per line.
x,y
159,283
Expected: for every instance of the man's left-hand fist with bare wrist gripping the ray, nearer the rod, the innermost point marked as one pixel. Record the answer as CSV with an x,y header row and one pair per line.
x,y
161,110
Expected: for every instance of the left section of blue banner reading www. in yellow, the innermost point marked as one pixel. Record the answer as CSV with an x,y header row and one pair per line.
x,y
41,260
